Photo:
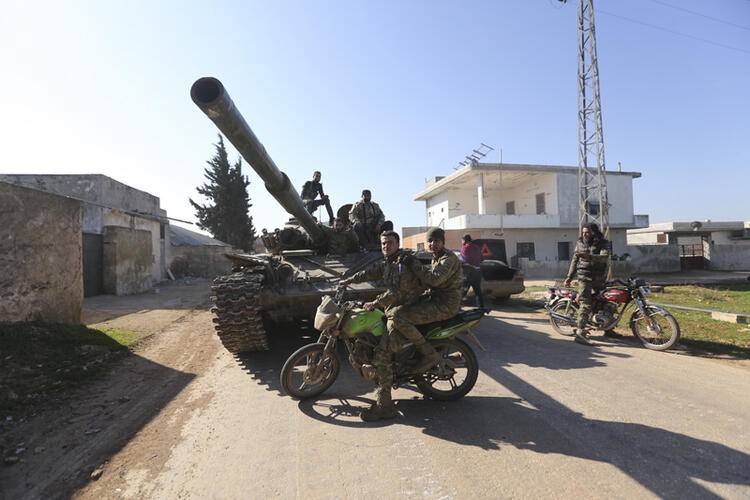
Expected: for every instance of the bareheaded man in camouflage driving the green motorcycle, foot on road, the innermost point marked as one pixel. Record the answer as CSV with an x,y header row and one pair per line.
x,y
402,287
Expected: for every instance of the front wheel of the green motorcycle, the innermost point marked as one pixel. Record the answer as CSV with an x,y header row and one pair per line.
x,y
309,371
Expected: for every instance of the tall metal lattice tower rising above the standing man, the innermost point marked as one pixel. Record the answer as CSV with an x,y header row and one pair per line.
x,y
593,204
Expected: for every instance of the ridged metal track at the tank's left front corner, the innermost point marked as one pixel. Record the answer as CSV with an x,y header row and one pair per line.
x,y
238,320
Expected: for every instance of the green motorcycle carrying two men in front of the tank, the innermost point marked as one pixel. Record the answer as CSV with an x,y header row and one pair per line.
x,y
313,368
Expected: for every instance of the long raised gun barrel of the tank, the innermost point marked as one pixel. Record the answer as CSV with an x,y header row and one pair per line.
x,y
211,97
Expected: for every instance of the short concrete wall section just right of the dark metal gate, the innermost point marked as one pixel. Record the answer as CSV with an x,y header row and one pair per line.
x,y
127,260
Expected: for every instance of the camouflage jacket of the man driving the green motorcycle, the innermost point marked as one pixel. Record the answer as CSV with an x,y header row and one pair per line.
x,y
403,285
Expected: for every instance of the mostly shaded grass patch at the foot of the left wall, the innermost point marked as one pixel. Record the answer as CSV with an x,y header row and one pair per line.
x,y
41,358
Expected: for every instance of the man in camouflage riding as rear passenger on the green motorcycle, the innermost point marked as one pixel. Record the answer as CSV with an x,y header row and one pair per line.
x,y
442,301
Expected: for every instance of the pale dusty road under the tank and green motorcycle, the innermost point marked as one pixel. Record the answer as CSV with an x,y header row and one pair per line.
x,y
547,418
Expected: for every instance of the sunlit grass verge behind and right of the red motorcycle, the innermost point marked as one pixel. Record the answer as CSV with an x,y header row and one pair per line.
x,y
698,329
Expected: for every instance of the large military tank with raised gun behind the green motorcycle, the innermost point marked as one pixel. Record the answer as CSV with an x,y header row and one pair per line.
x,y
287,282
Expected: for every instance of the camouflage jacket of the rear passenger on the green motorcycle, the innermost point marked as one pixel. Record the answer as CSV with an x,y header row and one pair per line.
x,y
444,277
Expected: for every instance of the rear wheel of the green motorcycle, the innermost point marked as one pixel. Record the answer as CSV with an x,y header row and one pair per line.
x,y
454,376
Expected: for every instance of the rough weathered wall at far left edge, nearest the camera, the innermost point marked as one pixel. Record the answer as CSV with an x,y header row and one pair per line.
x,y
41,275
